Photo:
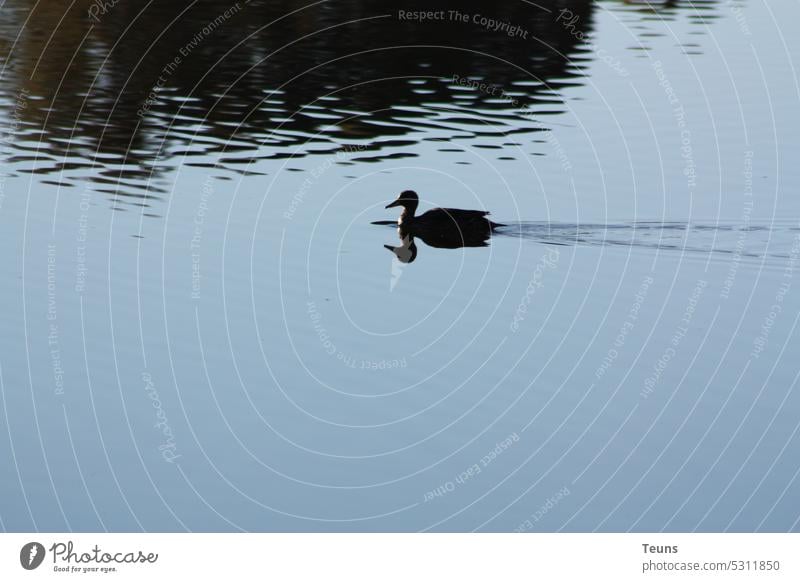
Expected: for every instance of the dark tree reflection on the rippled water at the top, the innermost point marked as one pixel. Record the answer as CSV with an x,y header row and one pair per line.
x,y
130,86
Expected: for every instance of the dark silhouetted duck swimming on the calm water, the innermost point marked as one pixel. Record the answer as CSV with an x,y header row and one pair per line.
x,y
443,227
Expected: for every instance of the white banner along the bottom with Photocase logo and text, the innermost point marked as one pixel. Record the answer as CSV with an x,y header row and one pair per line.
x,y
401,557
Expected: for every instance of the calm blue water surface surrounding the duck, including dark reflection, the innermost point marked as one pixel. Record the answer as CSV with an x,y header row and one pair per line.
x,y
203,330
